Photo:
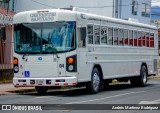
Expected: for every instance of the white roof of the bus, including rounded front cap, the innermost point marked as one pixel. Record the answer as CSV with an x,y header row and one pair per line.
x,y
51,15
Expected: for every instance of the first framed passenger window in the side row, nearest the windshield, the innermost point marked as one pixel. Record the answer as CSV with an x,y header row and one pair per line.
x,y
90,34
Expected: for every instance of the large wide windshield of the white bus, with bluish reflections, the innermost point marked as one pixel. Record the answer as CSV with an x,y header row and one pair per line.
x,y
44,37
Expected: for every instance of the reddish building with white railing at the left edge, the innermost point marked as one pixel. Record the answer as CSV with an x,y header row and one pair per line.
x,y
6,33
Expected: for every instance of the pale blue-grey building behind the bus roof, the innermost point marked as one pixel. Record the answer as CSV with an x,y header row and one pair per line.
x,y
124,9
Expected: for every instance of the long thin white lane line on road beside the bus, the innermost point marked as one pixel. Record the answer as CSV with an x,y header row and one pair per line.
x,y
106,97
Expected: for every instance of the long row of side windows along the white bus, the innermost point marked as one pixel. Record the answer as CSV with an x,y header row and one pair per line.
x,y
107,35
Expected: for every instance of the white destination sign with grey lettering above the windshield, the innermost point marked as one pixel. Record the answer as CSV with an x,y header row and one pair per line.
x,y
36,17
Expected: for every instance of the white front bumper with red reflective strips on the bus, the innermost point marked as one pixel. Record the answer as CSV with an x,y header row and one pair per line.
x,y
58,81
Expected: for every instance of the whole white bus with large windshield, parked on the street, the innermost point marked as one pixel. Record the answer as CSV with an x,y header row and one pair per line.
x,y
58,47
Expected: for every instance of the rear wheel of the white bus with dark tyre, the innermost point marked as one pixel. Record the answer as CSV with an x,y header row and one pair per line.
x,y
142,79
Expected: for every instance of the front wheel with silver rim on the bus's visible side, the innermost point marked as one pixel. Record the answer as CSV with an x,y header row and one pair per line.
x,y
94,85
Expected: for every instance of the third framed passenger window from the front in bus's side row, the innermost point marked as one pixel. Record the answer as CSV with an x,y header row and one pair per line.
x,y
103,35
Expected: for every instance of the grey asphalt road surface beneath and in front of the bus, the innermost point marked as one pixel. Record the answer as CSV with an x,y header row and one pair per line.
x,y
114,94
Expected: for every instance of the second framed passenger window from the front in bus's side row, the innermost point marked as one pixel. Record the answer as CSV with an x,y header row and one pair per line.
x,y
96,34
